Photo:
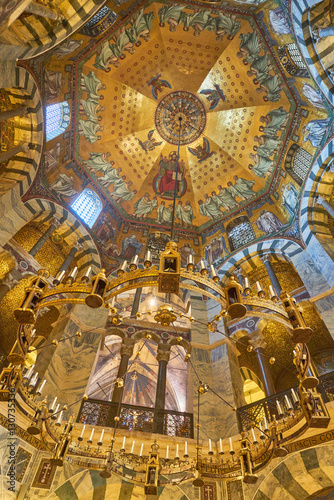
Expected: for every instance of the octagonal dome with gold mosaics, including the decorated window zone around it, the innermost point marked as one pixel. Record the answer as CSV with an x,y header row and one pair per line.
x,y
252,123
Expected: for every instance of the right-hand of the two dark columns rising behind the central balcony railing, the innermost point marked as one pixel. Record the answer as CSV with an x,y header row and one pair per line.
x,y
160,396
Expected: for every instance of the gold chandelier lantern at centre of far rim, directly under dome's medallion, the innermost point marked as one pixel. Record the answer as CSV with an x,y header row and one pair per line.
x,y
169,271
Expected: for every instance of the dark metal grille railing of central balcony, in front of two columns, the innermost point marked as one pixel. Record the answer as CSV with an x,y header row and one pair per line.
x,y
140,418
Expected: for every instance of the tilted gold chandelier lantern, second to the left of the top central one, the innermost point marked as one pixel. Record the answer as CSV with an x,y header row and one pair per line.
x,y
25,313
